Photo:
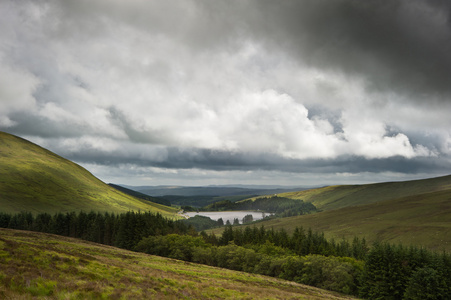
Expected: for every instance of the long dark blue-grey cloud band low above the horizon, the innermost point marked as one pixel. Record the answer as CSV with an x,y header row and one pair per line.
x,y
207,159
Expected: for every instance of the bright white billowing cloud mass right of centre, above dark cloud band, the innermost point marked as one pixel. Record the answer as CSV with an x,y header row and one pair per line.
x,y
273,122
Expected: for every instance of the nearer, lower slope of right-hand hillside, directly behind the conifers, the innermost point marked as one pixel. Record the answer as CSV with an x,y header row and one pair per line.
x,y
421,220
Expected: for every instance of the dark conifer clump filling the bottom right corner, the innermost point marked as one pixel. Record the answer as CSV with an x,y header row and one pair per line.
x,y
398,272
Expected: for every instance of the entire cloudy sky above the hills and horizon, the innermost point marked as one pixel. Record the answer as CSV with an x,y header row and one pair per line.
x,y
202,92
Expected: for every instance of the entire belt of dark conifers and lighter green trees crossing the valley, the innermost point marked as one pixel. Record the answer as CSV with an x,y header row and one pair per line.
x,y
378,271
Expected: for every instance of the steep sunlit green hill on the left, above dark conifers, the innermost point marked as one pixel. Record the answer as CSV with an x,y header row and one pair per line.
x,y
36,180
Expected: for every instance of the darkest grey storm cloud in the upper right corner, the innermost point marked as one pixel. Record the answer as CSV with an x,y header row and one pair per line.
x,y
396,45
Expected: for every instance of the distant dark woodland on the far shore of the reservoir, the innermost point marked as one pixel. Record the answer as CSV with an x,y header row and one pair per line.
x,y
280,206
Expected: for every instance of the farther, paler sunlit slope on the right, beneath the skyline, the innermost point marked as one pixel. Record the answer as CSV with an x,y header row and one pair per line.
x,y
333,197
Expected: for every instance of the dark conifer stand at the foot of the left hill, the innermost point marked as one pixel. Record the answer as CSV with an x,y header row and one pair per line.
x,y
121,230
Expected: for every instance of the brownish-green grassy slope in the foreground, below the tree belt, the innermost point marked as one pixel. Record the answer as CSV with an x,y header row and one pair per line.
x,y
43,265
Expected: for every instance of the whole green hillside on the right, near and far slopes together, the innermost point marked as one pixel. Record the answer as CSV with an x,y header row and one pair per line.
x,y
412,212
